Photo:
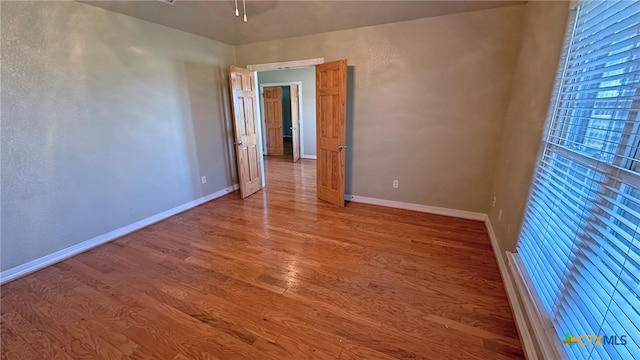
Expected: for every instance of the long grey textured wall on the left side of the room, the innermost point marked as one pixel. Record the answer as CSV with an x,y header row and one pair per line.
x,y
106,120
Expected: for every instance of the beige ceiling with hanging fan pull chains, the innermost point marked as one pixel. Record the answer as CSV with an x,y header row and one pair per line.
x,y
270,20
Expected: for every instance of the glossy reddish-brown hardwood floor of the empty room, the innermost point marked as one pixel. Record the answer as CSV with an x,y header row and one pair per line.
x,y
279,275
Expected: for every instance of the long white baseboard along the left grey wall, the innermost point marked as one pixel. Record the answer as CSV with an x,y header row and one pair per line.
x,y
37,264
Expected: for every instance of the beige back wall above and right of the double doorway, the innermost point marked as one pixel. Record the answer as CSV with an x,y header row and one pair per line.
x,y
429,102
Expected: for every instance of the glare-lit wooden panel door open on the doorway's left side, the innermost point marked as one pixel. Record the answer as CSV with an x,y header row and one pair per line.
x,y
245,128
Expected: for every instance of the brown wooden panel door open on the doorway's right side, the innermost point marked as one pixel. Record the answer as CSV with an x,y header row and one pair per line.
x,y
331,98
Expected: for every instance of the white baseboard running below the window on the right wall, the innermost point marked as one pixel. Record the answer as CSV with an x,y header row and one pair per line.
x,y
512,294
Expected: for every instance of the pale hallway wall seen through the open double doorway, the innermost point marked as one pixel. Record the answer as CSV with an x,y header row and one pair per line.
x,y
308,78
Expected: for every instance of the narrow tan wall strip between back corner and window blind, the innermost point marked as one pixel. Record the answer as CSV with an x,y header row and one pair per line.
x,y
542,39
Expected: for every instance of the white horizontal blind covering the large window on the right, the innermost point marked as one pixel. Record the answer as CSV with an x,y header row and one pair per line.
x,y
580,241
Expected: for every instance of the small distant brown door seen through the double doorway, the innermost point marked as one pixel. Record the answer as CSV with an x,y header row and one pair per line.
x,y
273,120
